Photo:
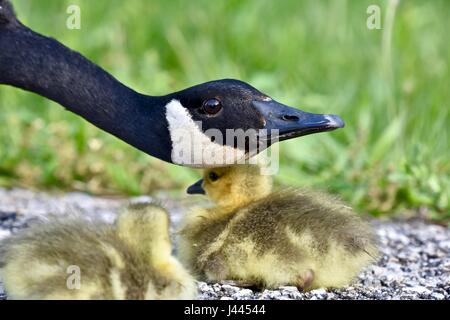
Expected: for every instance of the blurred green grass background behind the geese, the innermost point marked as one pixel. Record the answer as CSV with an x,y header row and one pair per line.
x,y
391,86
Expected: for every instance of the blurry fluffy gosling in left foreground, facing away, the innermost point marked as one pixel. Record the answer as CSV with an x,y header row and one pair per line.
x,y
131,260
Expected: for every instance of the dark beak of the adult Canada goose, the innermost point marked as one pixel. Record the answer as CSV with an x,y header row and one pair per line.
x,y
292,123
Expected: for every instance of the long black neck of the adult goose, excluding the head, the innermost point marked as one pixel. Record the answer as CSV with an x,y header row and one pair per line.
x,y
44,66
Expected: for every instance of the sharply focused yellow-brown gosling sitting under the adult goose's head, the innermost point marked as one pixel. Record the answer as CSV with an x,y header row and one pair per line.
x,y
290,237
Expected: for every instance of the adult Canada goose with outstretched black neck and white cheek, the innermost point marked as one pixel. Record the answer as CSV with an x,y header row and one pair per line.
x,y
157,125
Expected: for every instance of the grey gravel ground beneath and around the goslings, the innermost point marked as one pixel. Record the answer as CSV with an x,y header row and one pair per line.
x,y
415,263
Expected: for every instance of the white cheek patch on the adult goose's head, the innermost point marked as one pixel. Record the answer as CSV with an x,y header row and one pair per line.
x,y
192,147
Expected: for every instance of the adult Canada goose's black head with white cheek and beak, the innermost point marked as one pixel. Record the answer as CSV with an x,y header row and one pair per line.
x,y
220,122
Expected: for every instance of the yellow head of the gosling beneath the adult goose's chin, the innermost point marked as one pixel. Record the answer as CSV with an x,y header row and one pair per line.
x,y
233,186
